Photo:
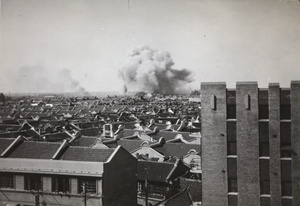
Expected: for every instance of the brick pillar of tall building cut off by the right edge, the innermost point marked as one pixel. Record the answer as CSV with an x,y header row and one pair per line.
x,y
295,140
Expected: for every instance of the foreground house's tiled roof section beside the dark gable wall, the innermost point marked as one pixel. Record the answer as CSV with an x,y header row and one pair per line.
x,y
87,154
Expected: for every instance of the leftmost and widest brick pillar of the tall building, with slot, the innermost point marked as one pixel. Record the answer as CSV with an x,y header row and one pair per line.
x,y
214,144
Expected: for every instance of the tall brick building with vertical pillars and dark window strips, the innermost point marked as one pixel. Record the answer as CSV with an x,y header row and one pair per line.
x,y
250,144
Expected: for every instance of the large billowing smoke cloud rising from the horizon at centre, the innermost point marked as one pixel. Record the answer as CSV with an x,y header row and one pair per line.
x,y
152,71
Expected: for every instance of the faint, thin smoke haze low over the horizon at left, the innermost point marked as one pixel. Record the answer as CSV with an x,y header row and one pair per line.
x,y
40,79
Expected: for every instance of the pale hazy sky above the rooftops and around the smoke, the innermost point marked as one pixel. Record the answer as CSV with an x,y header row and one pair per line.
x,y
45,43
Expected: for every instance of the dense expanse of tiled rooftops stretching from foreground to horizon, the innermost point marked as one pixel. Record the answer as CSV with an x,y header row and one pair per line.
x,y
161,132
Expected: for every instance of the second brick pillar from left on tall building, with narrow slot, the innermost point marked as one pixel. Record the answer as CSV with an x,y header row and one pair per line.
x,y
247,144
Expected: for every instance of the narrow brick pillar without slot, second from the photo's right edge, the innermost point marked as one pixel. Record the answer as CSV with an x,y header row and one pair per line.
x,y
274,140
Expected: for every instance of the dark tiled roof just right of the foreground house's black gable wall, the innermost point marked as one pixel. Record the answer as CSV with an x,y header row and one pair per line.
x,y
154,171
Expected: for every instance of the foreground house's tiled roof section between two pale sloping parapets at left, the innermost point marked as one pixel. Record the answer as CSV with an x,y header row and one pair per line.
x,y
35,150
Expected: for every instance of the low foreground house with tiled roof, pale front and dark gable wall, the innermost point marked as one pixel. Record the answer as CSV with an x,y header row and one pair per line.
x,y
33,173
